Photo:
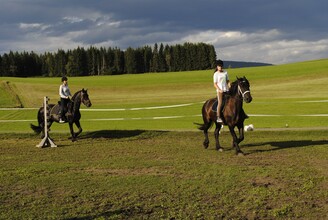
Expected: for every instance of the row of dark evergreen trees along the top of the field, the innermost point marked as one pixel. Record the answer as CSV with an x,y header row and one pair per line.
x,y
109,61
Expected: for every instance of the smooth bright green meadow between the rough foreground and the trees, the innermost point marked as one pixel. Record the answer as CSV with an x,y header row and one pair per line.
x,y
293,94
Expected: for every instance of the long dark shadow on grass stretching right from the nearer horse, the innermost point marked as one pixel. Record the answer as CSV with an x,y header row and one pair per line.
x,y
278,145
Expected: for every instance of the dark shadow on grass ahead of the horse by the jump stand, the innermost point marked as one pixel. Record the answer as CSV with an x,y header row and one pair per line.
x,y
118,134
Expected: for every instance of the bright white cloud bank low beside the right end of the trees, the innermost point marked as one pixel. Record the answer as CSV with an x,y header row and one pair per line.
x,y
263,46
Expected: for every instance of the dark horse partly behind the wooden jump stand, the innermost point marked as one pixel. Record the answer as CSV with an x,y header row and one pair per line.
x,y
72,117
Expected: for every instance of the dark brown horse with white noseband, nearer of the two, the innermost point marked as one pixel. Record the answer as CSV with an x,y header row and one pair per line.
x,y
232,114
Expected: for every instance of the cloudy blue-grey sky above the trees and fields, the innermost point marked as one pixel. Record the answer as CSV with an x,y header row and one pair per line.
x,y
269,31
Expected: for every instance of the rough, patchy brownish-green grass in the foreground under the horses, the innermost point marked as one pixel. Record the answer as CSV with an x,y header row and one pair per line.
x,y
143,174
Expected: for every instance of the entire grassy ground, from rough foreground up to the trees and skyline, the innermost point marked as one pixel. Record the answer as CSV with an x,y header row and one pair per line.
x,y
140,155
